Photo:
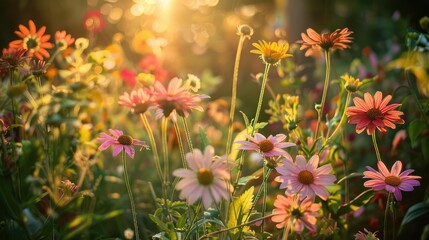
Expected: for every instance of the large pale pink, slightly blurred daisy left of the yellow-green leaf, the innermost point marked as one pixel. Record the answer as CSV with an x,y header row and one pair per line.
x,y
207,178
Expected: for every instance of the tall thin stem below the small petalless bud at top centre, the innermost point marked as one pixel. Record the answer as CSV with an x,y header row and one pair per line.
x,y
234,93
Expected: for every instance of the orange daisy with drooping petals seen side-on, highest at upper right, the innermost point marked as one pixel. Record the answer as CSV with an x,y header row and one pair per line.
x,y
312,41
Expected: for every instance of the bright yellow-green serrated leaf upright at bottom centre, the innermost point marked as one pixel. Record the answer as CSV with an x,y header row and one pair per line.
x,y
239,210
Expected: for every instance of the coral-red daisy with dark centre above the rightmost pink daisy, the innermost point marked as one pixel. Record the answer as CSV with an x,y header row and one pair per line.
x,y
373,113
